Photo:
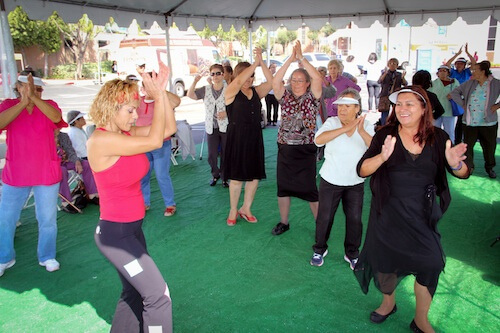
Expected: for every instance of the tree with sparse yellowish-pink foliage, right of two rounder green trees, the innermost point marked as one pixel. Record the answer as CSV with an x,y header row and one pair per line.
x,y
76,37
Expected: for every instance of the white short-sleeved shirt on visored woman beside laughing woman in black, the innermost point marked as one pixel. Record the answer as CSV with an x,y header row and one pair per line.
x,y
342,154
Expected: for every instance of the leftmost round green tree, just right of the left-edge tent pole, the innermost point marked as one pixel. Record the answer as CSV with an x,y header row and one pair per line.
x,y
22,29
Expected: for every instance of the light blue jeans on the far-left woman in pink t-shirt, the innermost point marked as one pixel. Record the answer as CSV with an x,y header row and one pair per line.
x,y
13,198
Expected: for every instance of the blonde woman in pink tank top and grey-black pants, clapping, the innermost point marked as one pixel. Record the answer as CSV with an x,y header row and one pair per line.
x,y
116,153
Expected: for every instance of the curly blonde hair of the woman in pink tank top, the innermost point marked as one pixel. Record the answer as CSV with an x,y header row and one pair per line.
x,y
110,98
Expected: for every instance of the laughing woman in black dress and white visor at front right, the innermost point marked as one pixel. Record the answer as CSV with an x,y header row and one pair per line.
x,y
407,160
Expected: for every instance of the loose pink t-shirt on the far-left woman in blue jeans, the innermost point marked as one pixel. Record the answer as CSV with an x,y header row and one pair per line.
x,y
31,149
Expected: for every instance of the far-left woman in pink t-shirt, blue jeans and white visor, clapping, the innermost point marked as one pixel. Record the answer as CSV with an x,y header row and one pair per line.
x,y
32,164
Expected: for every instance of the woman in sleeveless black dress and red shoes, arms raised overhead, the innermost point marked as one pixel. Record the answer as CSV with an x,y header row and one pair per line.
x,y
244,155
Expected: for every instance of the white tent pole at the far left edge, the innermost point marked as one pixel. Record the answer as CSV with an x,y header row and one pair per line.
x,y
9,68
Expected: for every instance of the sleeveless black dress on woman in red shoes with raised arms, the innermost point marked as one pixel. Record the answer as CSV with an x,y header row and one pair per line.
x,y
244,154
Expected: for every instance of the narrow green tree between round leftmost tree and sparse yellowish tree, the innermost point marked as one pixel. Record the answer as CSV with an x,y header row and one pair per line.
x,y
48,39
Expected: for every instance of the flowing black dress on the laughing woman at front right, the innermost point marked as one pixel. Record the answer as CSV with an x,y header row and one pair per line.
x,y
402,237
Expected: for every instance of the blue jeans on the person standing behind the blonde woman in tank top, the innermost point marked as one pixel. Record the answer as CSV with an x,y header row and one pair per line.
x,y
159,159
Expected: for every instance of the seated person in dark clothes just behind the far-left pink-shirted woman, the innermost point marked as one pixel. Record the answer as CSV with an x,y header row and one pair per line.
x,y
69,161
